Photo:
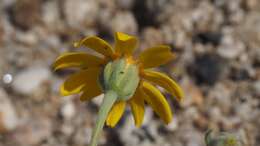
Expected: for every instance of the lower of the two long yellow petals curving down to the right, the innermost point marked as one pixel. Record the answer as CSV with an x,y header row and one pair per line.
x,y
157,101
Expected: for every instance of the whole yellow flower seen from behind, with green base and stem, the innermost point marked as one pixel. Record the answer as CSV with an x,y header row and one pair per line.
x,y
122,78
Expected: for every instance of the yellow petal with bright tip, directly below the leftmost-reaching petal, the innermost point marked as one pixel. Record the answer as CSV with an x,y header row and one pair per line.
x,y
76,82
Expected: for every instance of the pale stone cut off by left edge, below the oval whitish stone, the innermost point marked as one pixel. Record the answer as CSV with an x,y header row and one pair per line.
x,y
8,117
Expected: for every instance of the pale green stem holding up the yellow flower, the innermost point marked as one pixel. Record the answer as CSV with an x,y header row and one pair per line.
x,y
108,101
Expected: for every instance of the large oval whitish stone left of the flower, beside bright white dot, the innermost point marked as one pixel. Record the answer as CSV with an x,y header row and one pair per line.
x,y
30,79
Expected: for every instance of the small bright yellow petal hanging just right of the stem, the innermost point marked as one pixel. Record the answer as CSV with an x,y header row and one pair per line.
x,y
115,113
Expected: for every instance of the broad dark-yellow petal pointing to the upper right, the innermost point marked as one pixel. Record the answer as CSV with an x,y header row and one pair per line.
x,y
155,56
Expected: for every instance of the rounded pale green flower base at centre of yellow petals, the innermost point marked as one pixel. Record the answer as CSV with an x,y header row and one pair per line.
x,y
120,77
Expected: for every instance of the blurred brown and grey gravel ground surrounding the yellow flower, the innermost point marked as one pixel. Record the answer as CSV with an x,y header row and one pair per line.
x,y
217,44
